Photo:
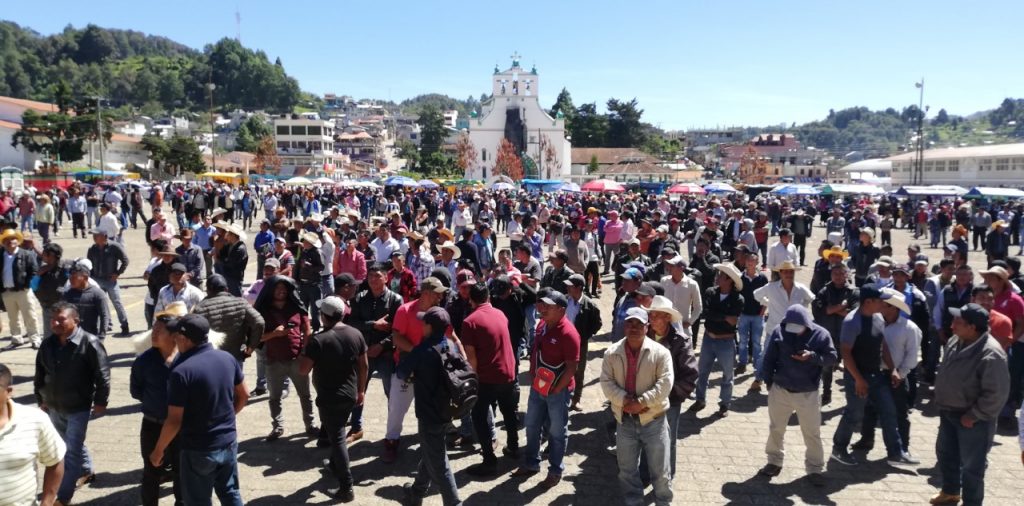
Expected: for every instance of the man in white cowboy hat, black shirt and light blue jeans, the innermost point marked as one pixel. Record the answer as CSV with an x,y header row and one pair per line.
x,y
723,306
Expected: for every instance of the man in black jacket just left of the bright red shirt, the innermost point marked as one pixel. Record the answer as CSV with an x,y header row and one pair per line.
x,y
372,314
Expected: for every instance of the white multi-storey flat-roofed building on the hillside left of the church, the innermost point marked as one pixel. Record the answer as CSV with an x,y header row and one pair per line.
x,y
306,144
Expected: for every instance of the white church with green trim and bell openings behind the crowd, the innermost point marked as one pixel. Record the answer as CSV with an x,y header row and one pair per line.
x,y
515,113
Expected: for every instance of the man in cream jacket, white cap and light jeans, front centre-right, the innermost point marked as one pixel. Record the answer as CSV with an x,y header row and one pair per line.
x,y
636,377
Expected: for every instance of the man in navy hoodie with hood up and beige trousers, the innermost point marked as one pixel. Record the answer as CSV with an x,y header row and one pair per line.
x,y
797,353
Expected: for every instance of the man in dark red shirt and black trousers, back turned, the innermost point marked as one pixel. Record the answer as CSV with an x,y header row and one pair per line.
x,y
489,348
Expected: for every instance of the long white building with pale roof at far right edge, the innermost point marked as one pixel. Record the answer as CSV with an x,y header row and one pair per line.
x,y
995,165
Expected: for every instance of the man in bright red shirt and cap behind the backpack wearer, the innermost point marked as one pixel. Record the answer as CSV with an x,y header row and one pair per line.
x,y
407,332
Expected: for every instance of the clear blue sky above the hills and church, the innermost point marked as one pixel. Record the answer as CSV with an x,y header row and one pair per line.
x,y
690,64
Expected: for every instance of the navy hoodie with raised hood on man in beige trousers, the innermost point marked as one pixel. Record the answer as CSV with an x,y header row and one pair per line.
x,y
779,365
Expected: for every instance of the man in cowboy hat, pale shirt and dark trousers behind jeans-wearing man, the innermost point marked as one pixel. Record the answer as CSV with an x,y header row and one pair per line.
x,y
903,341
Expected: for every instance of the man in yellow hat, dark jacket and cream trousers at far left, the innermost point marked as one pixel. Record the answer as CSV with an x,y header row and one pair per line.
x,y
18,267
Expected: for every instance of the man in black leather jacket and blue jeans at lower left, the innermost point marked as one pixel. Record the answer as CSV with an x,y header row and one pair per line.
x,y
73,376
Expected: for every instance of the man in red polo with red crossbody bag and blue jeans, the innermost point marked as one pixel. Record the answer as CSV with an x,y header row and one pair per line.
x,y
553,362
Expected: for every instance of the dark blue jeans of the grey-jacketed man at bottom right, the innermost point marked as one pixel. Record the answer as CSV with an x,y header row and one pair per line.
x,y
962,455
